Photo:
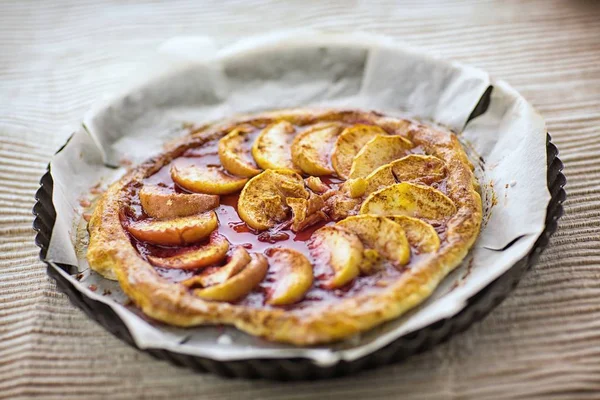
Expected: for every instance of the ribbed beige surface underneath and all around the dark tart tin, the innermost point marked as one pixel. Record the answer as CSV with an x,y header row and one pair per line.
x,y
58,57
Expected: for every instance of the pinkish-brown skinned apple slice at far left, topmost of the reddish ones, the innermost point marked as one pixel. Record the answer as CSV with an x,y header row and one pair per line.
x,y
163,203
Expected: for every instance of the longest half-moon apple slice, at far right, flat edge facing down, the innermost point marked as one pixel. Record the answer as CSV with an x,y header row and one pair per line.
x,y
409,199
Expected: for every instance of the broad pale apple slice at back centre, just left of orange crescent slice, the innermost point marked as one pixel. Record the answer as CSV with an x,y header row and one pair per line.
x,y
311,149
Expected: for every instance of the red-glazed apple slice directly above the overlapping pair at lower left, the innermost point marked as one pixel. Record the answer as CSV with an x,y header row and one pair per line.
x,y
211,253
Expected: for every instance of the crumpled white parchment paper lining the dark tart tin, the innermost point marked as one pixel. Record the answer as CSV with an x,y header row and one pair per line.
x,y
191,80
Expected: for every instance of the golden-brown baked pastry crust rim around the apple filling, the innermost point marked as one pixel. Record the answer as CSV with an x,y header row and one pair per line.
x,y
380,299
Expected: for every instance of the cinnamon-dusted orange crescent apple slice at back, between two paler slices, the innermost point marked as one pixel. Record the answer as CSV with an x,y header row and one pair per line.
x,y
349,143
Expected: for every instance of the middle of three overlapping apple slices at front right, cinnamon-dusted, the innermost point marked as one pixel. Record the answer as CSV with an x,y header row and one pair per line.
x,y
381,234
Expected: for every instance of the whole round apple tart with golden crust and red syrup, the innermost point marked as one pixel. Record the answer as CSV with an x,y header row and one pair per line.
x,y
300,226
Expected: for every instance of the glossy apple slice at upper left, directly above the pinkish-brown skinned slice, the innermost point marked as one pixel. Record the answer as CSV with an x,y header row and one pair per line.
x,y
206,179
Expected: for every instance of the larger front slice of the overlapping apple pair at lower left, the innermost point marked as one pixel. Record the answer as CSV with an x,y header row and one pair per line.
x,y
240,284
